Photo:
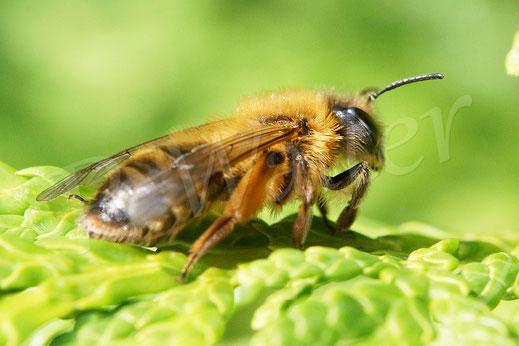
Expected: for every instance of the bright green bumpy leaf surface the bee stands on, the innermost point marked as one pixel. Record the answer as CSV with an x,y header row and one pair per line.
x,y
406,285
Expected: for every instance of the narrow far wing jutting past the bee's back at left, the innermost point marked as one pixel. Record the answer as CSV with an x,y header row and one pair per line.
x,y
95,171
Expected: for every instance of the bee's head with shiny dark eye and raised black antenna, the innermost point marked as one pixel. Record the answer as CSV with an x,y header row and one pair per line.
x,y
361,133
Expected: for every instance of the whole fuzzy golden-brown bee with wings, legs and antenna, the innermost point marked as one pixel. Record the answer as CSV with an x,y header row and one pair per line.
x,y
275,148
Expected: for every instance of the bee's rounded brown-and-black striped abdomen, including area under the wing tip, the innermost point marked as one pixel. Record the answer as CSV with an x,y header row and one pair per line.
x,y
131,205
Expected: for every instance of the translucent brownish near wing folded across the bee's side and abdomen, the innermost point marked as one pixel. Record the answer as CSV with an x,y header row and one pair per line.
x,y
191,172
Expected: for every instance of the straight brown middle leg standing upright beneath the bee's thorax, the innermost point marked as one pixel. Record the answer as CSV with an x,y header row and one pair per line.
x,y
307,191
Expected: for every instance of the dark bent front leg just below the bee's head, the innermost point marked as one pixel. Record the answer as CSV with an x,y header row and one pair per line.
x,y
358,175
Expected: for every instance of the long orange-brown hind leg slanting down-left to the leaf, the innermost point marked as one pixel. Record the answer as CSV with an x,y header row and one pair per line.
x,y
245,202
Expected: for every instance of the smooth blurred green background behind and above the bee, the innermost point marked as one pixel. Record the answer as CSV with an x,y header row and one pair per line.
x,y
85,79
